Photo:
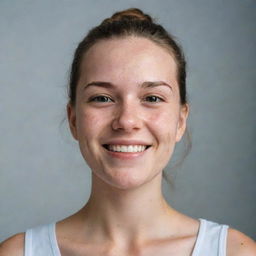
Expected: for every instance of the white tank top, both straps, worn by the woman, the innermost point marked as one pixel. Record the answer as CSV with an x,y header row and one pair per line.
x,y
211,240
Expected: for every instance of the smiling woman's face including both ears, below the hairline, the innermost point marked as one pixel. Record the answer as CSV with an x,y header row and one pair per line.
x,y
127,116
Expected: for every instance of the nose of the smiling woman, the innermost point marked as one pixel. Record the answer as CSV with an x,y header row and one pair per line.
x,y
127,117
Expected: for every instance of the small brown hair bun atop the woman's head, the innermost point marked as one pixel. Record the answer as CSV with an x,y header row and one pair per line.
x,y
130,14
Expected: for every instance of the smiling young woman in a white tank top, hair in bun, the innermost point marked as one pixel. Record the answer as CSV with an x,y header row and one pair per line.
x,y
127,109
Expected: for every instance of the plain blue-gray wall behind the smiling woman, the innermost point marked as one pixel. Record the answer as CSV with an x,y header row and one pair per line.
x,y
43,176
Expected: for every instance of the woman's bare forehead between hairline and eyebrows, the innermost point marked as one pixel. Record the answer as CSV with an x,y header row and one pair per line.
x,y
129,59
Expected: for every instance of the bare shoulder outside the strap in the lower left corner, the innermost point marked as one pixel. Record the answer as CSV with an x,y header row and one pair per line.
x,y
13,246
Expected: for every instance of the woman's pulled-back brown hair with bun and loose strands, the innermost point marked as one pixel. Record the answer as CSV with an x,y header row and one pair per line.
x,y
132,22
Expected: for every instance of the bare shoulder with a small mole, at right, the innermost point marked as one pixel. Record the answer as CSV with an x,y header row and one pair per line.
x,y
238,244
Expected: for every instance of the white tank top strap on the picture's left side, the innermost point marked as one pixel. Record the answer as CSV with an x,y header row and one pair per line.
x,y
41,241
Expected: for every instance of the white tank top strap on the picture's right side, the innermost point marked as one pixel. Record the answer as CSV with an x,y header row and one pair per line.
x,y
211,239
